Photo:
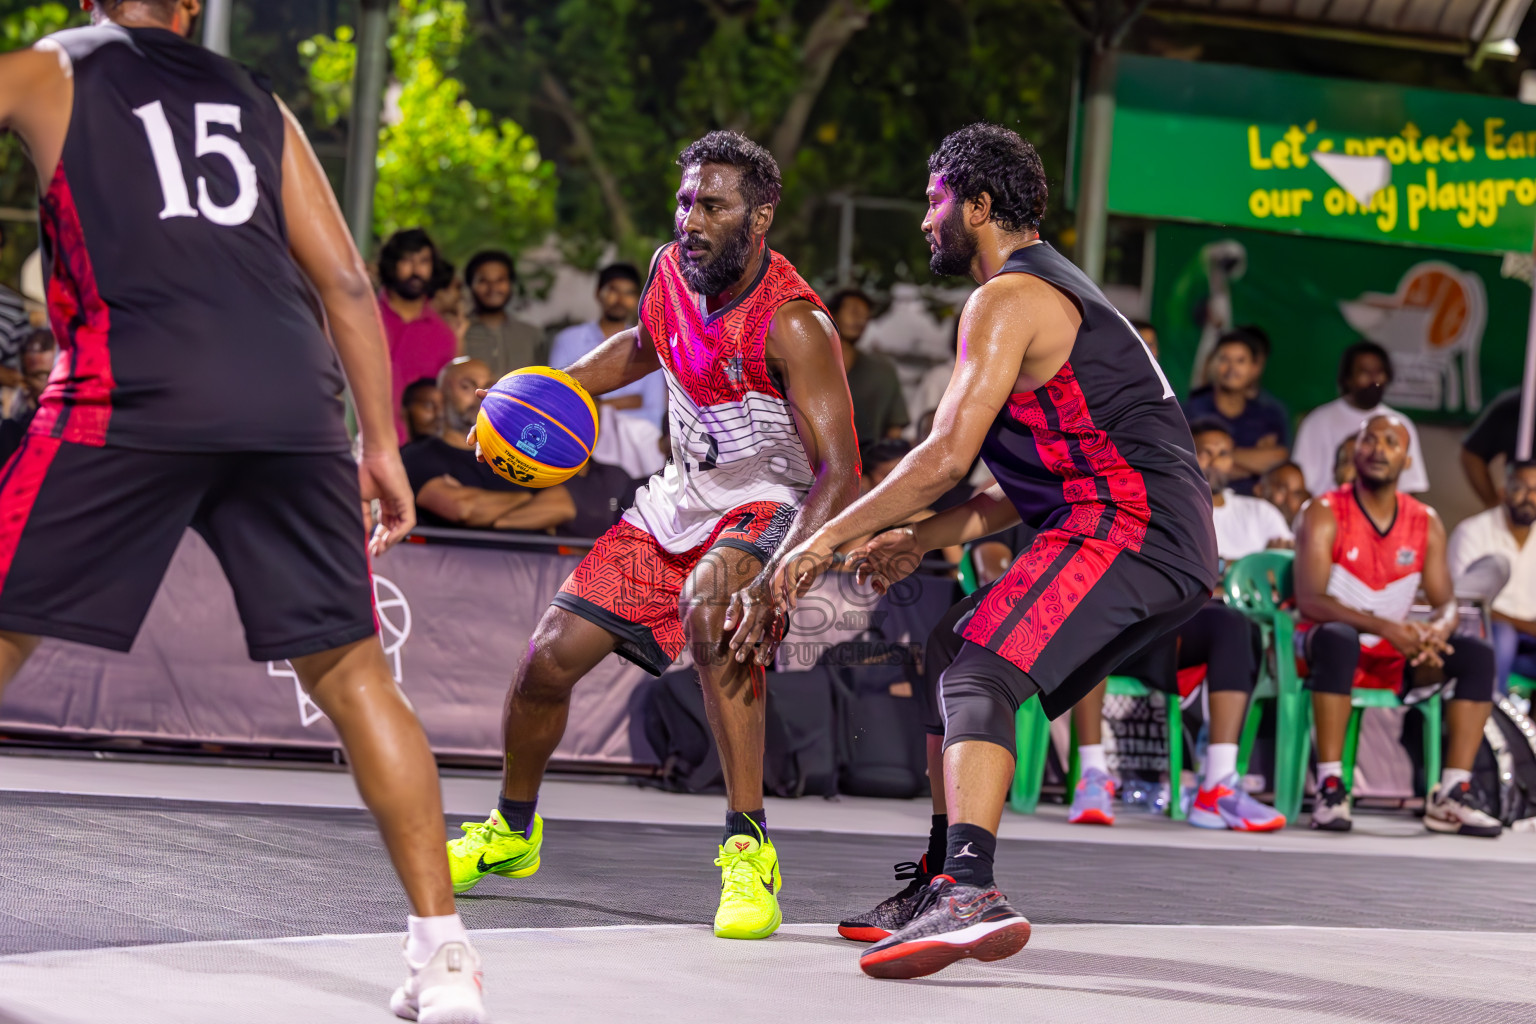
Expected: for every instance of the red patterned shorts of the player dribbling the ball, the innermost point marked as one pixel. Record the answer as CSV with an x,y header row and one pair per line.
x,y
631,586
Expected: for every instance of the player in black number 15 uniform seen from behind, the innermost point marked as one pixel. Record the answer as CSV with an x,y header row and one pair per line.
x,y
188,226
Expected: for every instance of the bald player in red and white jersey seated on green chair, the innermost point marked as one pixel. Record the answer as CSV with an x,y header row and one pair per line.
x,y
1363,552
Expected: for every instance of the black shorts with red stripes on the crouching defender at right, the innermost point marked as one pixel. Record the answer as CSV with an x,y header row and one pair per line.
x,y
1074,609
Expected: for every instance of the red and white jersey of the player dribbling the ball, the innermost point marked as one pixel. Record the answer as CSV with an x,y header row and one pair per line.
x,y
733,435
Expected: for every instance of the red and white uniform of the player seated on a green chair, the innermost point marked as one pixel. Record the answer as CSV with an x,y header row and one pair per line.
x,y
1377,572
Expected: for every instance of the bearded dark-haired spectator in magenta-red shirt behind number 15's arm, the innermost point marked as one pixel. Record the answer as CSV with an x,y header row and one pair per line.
x,y
420,343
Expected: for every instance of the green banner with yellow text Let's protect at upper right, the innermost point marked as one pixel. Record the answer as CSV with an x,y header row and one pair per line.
x,y
1239,147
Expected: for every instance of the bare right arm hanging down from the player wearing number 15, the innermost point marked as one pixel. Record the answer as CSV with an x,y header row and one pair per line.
x,y
323,249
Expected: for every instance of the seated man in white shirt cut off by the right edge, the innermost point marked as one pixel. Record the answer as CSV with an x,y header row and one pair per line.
x,y
1503,535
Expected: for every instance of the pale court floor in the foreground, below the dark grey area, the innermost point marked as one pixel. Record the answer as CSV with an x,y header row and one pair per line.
x,y
1070,974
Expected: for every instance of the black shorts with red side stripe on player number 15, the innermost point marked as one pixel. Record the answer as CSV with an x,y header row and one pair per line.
x,y
87,535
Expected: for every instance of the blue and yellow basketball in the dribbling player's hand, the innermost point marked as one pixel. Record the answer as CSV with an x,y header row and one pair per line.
x,y
537,428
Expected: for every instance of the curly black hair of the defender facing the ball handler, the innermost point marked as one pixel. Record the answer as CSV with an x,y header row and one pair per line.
x,y
999,162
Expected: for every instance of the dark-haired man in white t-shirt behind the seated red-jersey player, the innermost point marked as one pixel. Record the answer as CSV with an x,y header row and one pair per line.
x,y
1365,375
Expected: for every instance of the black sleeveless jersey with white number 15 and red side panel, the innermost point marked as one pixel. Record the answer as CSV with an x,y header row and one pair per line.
x,y
182,319
